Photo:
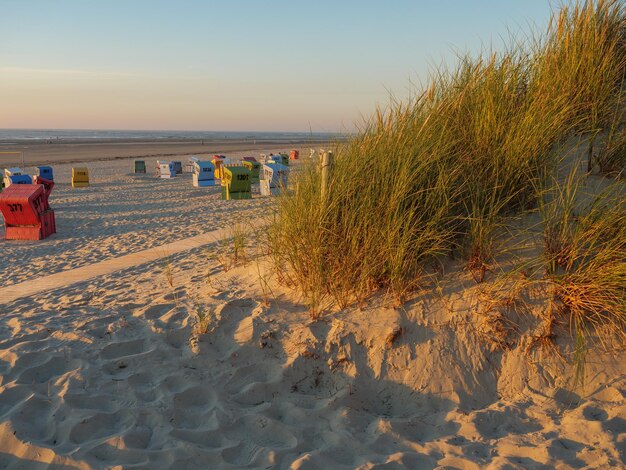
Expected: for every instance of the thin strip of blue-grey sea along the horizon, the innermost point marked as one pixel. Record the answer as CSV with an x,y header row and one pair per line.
x,y
21,135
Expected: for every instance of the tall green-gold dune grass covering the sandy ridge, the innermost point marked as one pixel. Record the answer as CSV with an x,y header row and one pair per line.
x,y
438,176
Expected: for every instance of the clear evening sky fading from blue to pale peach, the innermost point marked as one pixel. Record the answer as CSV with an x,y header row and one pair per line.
x,y
233,65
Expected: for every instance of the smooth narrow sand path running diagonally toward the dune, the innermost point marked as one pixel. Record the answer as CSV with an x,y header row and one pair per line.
x,y
73,276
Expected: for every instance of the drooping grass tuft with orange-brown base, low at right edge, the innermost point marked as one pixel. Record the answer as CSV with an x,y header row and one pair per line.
x,y
585,261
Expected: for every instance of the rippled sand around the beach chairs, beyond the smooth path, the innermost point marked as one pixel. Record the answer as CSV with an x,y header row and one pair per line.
x,y
119,213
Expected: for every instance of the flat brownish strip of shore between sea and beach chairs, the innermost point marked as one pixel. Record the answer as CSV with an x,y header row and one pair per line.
x,y
73,151
